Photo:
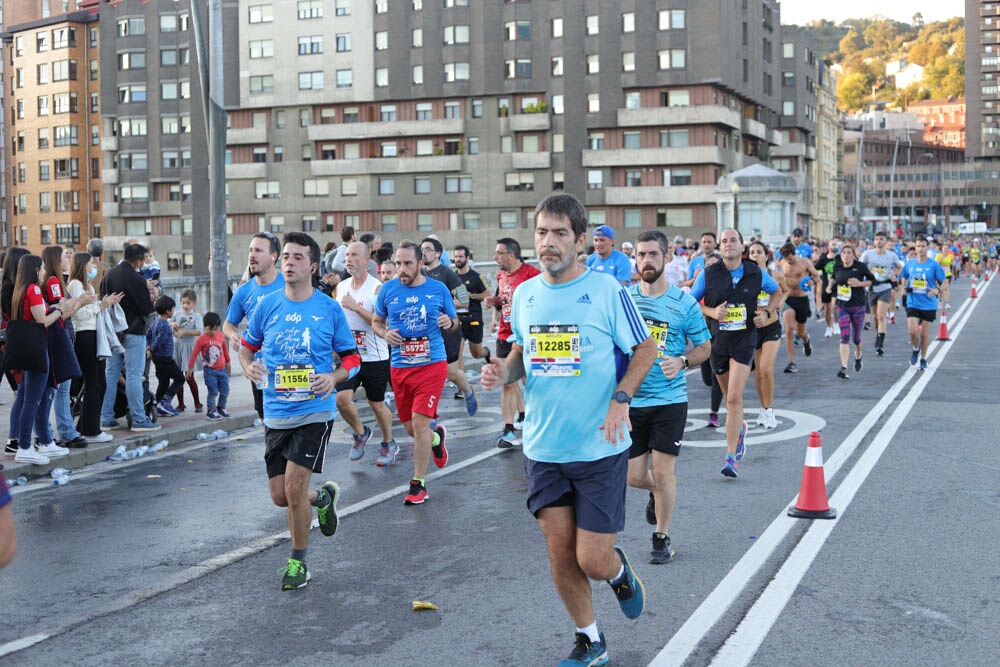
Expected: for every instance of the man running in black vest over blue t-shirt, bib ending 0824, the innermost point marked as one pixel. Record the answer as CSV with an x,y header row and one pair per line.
x,y
731,289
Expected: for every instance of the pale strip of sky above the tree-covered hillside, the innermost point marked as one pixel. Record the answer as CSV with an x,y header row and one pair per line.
x,y
800,12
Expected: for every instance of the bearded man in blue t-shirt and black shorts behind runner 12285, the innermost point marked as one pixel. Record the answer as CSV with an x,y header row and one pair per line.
x,y
659,410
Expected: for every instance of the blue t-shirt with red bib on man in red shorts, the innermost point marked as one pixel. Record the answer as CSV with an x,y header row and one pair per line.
x,y
414,312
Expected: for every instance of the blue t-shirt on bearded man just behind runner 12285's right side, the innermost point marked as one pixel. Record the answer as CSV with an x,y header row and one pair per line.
x,y
672,319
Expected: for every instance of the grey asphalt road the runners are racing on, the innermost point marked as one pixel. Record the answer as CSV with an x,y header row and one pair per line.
x,y
173,559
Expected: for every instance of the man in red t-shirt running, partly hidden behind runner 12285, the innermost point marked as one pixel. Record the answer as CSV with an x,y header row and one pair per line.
x,y
512,272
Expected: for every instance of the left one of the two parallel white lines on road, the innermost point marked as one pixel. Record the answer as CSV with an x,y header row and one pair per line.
x,y
718,602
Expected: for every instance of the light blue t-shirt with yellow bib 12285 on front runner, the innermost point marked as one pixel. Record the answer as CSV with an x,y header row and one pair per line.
x,y
576,339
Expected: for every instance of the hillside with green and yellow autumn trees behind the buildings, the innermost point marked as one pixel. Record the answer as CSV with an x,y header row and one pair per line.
x,y
863,47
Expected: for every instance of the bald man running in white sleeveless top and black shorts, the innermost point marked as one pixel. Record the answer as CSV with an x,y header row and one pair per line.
x,y
357,297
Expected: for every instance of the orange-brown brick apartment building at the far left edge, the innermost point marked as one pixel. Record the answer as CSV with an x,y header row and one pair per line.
x,y
51,115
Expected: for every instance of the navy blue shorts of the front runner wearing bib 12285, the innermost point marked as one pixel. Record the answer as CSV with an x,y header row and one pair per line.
x,y
594,489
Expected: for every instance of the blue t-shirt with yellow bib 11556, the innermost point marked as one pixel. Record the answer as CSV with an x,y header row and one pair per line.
x,y
297,339
